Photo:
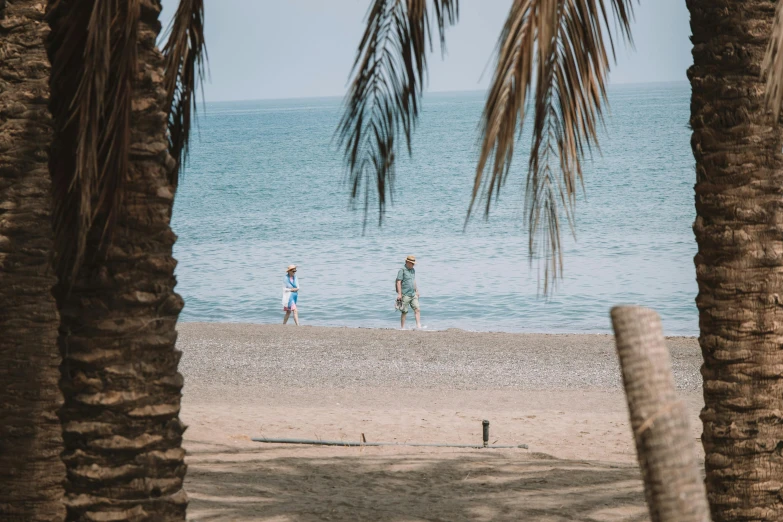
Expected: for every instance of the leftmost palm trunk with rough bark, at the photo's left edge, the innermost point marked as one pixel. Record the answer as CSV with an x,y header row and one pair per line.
x,y
31,473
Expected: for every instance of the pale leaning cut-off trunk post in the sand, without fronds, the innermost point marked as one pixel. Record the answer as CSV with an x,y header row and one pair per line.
x,y
667,456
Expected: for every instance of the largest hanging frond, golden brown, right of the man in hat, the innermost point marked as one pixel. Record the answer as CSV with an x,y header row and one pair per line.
x,y
552,53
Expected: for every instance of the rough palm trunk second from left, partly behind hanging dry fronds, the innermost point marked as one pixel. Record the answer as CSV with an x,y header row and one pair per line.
x,y
121,424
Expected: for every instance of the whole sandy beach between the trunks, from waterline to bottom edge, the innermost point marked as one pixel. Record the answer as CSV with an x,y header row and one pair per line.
x,y
559,394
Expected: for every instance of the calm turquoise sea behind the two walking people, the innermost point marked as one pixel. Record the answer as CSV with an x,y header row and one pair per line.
x,y
264,189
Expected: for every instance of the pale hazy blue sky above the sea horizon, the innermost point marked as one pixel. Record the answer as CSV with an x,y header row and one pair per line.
x,y
261,49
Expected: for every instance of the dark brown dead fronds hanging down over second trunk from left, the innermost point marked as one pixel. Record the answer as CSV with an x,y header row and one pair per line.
x,y
93,51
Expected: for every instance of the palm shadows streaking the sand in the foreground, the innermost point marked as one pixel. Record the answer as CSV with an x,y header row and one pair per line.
x,y
277,484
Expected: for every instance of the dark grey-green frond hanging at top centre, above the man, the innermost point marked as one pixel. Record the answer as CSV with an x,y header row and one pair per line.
x,y
385,95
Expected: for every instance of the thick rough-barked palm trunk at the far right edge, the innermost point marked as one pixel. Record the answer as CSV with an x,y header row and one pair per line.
x,y
739,265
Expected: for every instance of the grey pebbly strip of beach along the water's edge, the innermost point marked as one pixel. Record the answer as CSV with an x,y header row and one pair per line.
x,y
231,354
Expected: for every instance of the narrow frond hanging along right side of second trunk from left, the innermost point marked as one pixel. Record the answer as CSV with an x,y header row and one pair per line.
x,y
185,54
